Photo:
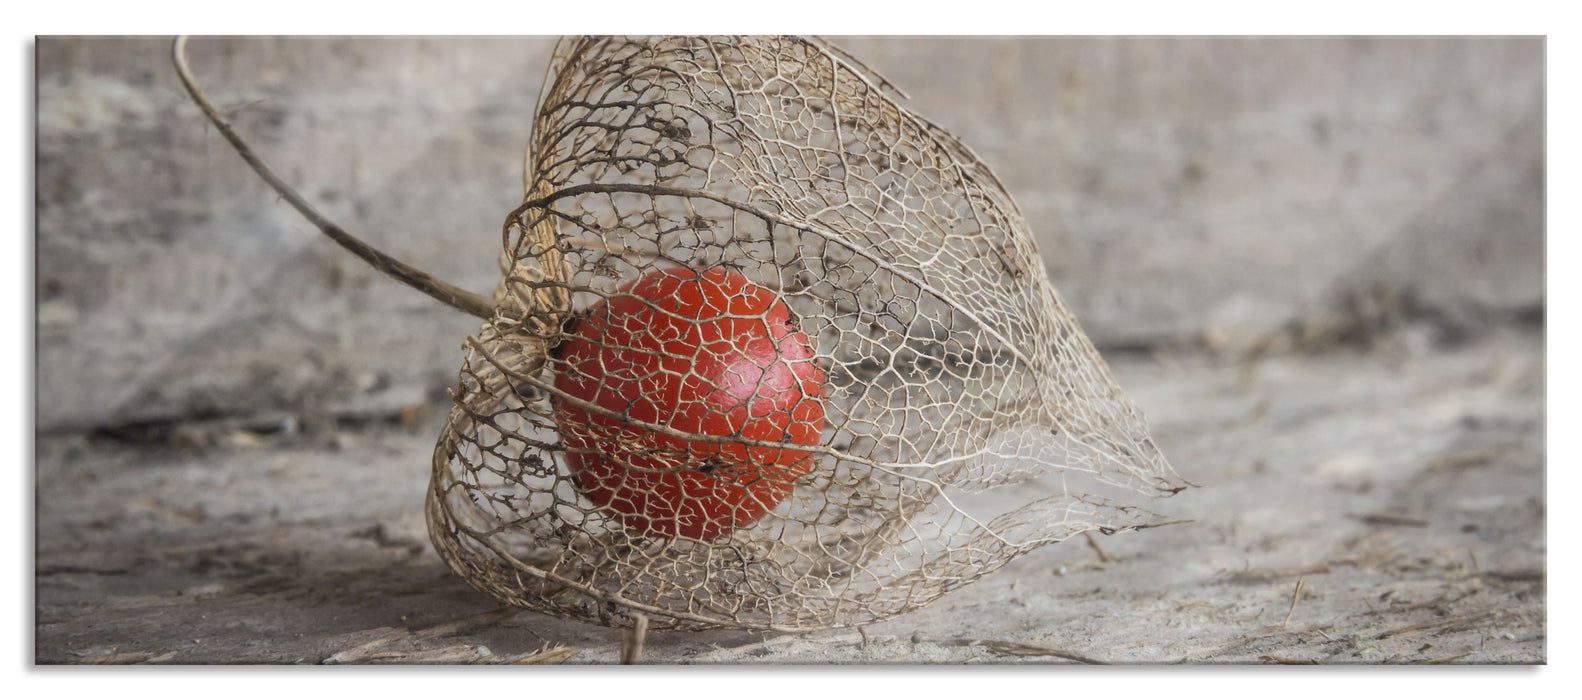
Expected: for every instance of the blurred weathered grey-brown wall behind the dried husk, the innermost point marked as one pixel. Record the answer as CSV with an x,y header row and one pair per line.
x,y
1183,191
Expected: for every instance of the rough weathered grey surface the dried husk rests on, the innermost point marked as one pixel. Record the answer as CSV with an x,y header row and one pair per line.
x,y
1357,508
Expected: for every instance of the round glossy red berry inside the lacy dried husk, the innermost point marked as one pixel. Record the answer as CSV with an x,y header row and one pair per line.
x,y
706,354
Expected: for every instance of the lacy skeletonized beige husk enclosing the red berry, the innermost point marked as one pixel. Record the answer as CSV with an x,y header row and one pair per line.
x,y
945,413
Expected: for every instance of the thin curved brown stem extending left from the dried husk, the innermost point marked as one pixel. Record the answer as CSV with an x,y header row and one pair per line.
x,y
452,295
